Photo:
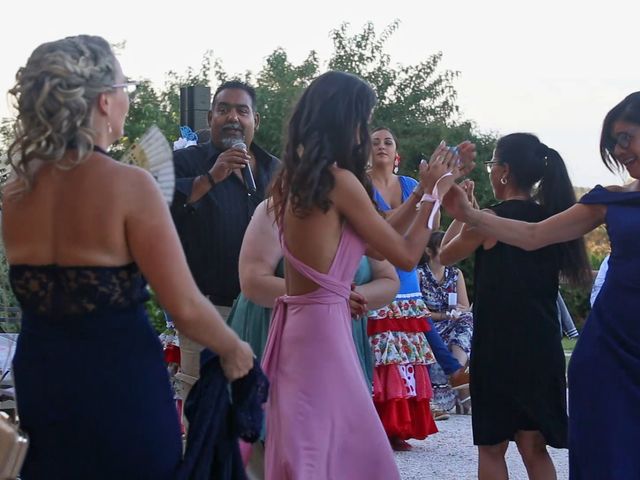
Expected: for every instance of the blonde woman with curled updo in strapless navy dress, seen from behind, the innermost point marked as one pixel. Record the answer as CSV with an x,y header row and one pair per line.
x,y
82,232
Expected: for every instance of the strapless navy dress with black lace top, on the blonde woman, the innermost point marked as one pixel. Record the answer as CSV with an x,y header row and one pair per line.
x,y
92,387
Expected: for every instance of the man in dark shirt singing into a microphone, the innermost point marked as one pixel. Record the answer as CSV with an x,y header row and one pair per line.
x,y
218,186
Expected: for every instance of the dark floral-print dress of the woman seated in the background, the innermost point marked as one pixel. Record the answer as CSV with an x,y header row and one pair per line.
x,y
453,331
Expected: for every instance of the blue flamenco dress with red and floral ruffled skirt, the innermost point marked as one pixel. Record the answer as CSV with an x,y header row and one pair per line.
x,y
401,385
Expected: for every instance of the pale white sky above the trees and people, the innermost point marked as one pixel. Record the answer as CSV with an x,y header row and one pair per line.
x,y
553,68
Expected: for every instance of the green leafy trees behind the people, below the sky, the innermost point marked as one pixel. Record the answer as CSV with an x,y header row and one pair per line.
x,y
418,102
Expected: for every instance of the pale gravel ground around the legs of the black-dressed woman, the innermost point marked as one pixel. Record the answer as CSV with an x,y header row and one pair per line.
x,y
450,455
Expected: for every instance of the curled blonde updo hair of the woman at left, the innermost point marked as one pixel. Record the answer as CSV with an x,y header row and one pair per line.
x,y
55,93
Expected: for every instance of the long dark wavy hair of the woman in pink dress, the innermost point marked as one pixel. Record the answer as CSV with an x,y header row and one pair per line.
x,y
328,125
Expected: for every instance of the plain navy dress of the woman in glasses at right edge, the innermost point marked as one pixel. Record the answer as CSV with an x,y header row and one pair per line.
x,y
604,371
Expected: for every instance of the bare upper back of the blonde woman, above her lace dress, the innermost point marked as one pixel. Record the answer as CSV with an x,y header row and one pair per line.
x,y
72,217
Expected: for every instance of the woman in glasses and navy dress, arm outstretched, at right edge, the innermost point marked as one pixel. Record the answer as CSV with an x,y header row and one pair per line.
x,y
603,407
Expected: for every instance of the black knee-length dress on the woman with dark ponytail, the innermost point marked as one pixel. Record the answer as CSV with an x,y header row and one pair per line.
x,y
517,366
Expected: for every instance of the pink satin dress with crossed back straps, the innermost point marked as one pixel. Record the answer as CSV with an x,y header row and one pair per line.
x,y
321,421
